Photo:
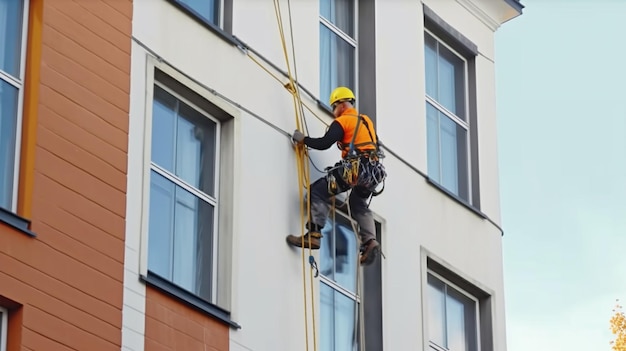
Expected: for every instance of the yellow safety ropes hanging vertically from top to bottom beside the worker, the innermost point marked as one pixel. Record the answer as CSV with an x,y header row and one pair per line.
x,y
303,171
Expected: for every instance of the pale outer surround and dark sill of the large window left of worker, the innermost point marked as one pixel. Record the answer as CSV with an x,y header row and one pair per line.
x,y
228,116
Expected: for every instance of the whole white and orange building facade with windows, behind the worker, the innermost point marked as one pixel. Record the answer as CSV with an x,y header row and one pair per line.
x,y
148,178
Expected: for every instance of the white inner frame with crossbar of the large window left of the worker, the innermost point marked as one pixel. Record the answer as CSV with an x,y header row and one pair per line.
x,y
202,196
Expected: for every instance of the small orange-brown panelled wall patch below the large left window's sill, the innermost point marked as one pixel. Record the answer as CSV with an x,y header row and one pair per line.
x,y
172,325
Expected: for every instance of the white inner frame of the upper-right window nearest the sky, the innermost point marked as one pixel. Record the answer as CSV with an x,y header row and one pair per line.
x,y
459,121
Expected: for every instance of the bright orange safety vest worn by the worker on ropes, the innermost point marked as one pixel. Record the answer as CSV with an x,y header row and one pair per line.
x,y
362,142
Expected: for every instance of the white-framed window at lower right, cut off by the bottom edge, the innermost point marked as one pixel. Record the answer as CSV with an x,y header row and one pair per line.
x,y
452,317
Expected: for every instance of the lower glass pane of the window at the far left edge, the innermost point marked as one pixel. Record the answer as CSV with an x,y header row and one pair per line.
x,y
8,126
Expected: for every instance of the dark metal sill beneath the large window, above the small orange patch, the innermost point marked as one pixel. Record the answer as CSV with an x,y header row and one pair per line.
x,y
189,299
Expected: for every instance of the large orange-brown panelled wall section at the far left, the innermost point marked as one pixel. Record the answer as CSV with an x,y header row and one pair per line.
x,y
69,279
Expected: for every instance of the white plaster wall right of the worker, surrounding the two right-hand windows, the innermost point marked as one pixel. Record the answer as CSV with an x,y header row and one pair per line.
x,y
418,215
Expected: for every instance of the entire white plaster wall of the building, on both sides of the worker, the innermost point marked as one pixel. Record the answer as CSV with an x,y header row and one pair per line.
x,y
267,285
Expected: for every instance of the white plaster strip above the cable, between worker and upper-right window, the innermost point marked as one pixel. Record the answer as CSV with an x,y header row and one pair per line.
x,y
400,79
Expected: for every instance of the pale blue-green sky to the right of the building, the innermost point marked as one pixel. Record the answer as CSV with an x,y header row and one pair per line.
x,y
561,80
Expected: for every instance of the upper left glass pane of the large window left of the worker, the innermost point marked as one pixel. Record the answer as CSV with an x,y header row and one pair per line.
x,y
163,128
